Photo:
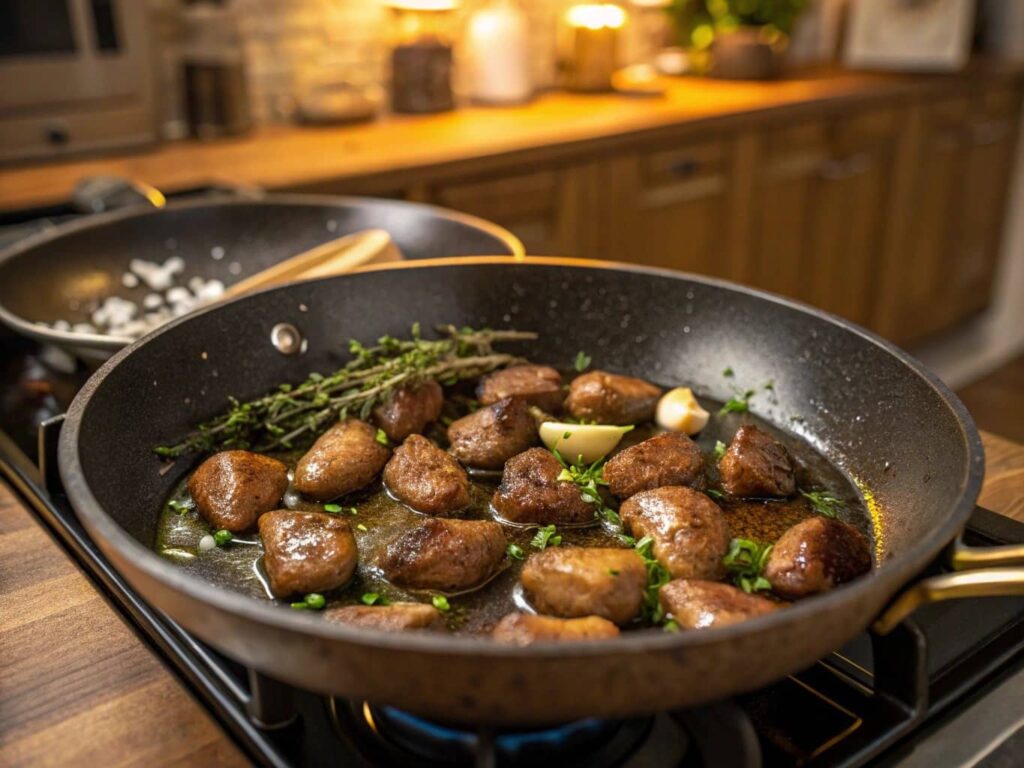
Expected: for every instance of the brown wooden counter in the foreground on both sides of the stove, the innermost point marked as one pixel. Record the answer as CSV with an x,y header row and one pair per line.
x,y
79,688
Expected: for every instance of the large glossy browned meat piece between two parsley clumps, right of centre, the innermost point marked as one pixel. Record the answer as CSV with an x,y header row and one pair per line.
x,y
691,533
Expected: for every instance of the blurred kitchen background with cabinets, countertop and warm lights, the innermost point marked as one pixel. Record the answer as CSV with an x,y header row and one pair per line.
x,y
862,156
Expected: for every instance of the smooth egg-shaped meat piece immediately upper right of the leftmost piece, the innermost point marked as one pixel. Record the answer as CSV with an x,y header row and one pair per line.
x,y
346,458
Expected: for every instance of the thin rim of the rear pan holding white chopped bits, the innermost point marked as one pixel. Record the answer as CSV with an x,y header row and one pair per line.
x,y
105,343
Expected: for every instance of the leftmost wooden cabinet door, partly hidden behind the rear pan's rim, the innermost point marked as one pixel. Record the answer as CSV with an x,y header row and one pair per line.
x,y
549,210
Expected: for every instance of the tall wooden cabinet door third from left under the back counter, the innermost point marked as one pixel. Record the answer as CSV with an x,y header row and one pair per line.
x,y
820,209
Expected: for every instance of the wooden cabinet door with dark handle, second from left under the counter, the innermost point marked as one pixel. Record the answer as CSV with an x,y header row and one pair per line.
x,y
671,205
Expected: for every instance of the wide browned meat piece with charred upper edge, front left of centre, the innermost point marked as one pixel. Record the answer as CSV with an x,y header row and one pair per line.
x,y
445,556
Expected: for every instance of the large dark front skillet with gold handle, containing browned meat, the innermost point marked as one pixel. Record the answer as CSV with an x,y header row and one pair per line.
x,y
894,429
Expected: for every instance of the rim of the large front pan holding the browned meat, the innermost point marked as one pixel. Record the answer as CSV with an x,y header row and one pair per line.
x,y
894,574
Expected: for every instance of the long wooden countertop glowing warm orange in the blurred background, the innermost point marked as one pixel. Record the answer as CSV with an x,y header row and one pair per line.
x,y
292,158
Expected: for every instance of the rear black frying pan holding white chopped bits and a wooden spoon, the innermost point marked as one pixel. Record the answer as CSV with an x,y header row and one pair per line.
x,y
65,273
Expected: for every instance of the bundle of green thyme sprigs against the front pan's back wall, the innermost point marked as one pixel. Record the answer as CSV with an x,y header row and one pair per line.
x,y
298,413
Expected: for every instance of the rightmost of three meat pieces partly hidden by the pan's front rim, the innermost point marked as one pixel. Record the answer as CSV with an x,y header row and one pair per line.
x,y
697,605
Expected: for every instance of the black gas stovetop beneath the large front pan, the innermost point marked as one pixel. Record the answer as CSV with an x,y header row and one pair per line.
x,y
947,688
